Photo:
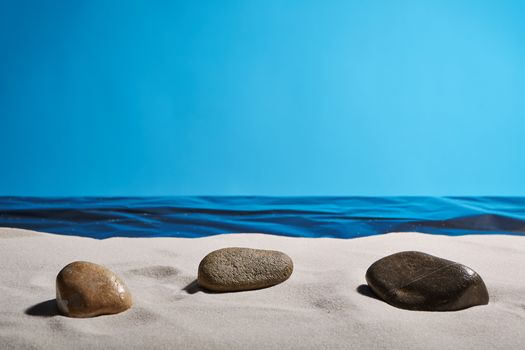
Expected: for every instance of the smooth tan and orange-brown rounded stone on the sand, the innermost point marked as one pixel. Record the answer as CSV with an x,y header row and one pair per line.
x,y
85,289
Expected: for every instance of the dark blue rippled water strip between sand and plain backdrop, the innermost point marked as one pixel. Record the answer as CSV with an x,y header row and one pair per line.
x,y
341,217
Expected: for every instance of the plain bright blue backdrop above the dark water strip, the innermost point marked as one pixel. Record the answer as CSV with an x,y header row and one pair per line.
x,y
262,97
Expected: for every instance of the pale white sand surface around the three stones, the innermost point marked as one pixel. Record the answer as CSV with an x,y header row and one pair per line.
x,y
319,307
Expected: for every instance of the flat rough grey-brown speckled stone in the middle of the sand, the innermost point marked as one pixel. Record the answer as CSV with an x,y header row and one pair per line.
x,y
237,269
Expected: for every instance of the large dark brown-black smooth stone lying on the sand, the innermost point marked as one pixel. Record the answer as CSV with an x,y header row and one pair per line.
x,y
418,281
